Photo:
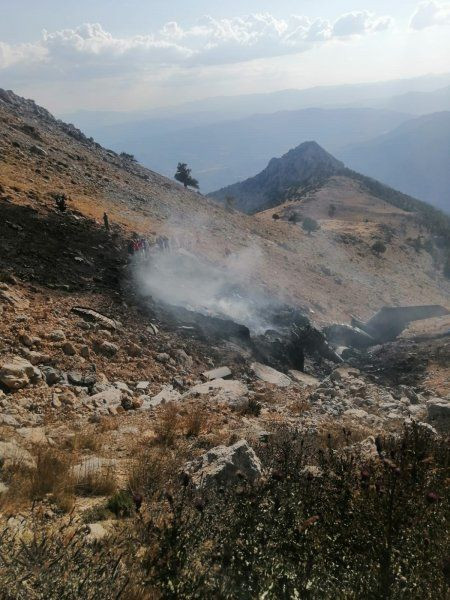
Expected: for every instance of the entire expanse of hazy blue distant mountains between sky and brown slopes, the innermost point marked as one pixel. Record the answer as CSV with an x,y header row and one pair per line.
x,y
228,139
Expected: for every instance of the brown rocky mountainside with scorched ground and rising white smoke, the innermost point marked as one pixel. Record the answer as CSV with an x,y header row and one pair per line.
x,y
111,398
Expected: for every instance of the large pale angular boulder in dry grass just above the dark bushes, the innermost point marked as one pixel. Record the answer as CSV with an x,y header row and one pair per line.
x,y
225,465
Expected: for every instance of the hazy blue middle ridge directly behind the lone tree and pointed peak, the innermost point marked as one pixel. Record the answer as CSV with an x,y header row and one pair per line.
x,y
228,151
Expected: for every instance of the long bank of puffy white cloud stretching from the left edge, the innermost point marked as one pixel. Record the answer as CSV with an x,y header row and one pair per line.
x,y
90,51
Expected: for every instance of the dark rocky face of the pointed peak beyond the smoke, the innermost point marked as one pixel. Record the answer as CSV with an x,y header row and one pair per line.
x,y
304,165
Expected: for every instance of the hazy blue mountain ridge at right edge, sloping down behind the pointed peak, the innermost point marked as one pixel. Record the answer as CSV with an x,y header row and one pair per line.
x,y
414,158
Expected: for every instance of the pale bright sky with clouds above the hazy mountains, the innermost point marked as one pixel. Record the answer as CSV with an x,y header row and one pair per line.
x,y
141,54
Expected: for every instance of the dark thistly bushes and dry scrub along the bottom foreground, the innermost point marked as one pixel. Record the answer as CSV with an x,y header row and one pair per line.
x,y
349,525
